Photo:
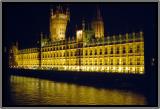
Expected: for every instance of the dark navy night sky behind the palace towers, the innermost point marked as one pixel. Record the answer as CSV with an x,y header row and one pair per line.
x,y
25,21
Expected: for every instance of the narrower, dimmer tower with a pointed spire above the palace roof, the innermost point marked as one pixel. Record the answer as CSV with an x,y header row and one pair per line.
x,y
98,25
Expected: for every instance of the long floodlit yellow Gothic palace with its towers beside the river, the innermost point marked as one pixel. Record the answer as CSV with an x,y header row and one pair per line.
x,y
89,50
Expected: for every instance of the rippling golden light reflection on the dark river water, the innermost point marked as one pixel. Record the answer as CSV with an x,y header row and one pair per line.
x,y
33,91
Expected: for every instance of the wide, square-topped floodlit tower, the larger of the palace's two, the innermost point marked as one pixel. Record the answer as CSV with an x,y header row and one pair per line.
x,y
58,23
